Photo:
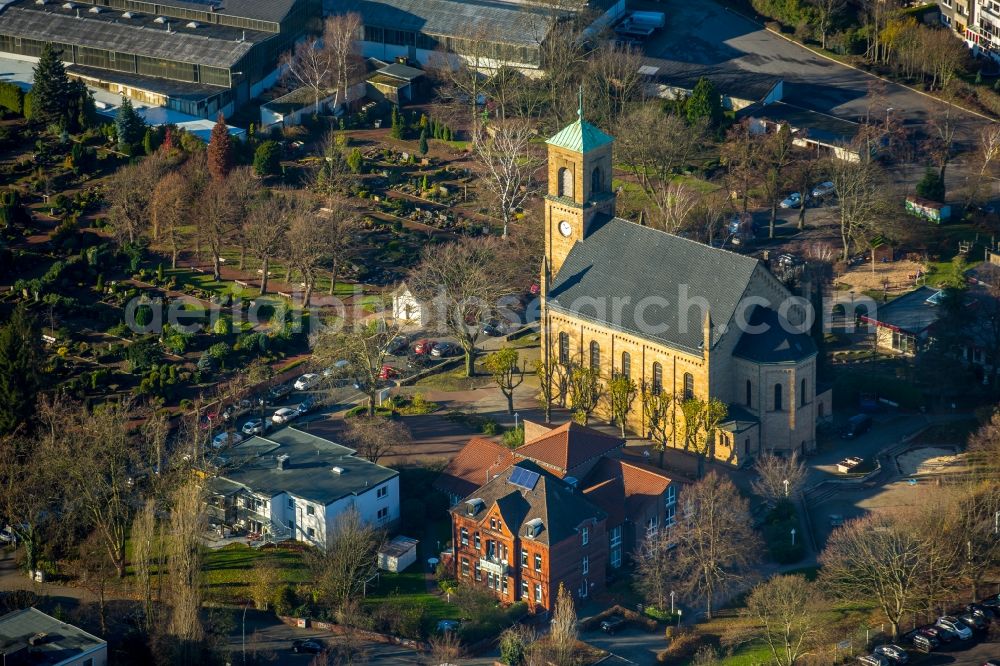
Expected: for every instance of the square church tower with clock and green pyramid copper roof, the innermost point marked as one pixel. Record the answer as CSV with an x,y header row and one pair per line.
x,y
579,165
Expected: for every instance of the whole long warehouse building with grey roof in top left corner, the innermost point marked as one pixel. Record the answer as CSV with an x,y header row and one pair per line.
x,y
194,56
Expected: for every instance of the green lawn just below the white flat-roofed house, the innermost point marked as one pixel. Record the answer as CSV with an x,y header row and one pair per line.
x,y
225,571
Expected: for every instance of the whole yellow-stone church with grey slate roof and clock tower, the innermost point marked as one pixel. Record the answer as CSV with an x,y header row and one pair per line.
x,y
672,314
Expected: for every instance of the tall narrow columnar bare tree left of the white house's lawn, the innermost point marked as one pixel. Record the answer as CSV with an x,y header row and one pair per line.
x,y
187,523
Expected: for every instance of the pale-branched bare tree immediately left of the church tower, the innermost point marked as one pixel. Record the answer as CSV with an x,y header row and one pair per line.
x,y
508,164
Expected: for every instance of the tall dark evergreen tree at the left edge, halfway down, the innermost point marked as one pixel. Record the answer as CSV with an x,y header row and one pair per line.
x,y
20,368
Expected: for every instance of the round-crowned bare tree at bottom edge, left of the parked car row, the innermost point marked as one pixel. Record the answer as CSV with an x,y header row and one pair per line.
x,y
791,612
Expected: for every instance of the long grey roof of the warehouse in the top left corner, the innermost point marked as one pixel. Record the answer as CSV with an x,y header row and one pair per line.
x,y
198,46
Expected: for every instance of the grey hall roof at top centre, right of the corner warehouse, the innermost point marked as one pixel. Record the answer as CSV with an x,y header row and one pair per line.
x,y
503,22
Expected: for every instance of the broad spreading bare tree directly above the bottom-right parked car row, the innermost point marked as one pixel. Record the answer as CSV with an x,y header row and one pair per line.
x,y
876,557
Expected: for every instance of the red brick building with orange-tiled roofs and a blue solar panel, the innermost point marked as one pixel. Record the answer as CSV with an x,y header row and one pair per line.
x,y
589,506
